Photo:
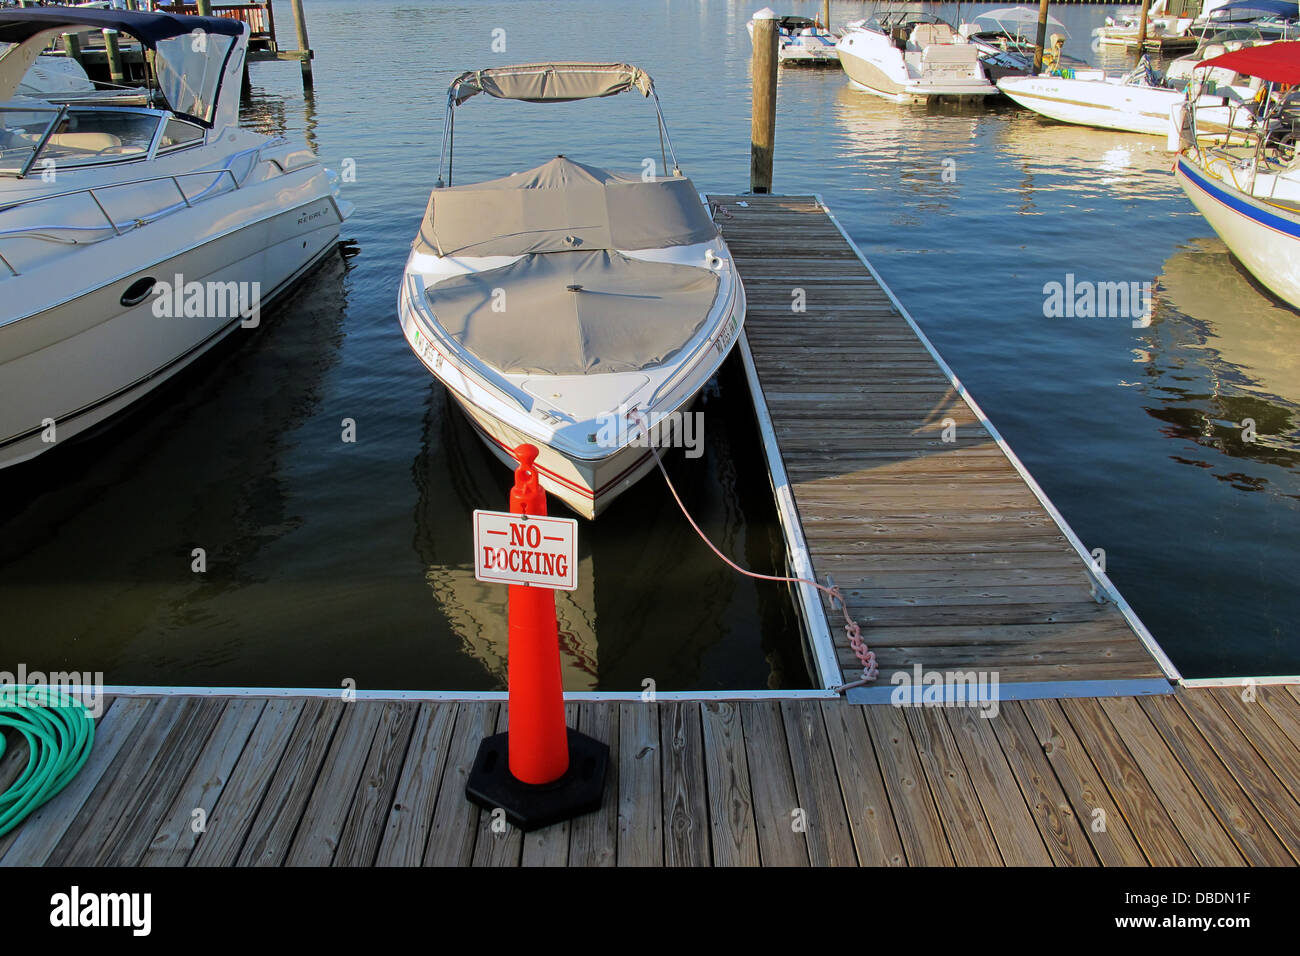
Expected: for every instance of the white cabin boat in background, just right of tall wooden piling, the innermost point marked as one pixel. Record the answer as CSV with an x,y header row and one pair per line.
x,y
912,58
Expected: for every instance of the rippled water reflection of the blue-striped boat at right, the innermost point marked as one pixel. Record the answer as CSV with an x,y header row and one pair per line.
x,y
1217,357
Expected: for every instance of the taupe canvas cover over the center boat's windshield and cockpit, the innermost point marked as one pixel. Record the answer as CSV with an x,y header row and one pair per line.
x,y
562,207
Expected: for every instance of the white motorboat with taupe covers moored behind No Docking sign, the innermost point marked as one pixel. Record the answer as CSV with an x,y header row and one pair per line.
x,y
567,306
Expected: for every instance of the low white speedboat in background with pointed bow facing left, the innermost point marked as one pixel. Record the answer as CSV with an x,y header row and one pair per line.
x,y
1137,102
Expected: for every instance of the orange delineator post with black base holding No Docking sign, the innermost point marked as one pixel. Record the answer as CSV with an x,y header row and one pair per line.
x,y
539,772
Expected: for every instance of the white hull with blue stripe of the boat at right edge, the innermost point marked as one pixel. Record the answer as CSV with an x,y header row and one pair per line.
x,y
1266,237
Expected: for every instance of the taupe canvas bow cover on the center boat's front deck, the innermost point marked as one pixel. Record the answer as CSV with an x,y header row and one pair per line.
x,y
575,313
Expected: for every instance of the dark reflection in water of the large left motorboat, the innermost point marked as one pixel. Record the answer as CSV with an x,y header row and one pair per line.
x,y
98,538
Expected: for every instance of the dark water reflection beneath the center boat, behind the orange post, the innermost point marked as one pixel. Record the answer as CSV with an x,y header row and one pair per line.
x,y
623,625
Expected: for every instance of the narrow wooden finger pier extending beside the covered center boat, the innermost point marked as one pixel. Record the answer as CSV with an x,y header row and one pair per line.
x,y
944,548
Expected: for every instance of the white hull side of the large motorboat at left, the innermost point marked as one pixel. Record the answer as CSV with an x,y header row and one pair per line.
x,y
88,358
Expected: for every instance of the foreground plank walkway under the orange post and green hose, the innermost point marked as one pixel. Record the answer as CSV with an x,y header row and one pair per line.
x,y
1197,778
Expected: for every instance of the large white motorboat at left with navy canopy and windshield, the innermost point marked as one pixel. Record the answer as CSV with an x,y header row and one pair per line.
x,y
135,240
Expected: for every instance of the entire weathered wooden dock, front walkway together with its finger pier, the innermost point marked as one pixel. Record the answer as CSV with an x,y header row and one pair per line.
x,y
1090,750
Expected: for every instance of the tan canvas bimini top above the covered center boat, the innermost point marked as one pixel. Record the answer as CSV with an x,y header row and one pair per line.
x,y
552,83
